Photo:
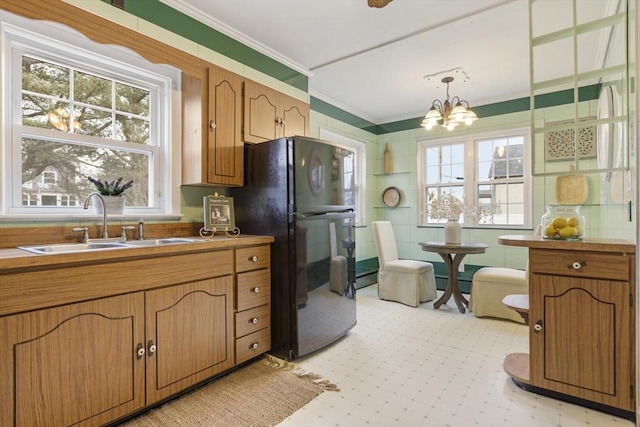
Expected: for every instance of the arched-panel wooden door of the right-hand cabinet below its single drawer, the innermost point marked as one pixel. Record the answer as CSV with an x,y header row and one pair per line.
x,y
583,348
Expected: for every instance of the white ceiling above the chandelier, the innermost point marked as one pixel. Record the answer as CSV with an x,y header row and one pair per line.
x,y
372,62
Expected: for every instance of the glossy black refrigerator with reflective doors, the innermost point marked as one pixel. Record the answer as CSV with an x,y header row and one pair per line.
x,y
301,190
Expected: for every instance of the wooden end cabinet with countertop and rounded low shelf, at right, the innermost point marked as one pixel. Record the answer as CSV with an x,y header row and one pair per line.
x,y
582,323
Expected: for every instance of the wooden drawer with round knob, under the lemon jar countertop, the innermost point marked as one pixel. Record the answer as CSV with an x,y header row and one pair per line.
x,y
580,264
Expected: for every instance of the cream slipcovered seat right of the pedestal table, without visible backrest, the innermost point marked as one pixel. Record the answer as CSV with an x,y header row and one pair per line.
x,y
489,287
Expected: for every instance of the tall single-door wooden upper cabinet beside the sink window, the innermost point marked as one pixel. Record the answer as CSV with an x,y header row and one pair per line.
x,y
212,134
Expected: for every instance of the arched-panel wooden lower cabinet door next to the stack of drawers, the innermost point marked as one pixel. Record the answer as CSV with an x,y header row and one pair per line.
x,y
192,328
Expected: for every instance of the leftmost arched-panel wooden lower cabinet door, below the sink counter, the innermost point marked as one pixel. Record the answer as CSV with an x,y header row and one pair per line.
x,y
72,365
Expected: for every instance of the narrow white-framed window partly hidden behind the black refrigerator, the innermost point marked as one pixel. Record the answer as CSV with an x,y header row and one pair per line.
x,y
358,169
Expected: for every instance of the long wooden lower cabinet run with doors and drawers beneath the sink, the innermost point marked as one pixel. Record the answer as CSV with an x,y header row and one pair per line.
x,y
93,362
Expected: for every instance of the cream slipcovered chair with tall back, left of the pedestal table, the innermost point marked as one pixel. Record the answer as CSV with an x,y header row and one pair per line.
x,y
402,280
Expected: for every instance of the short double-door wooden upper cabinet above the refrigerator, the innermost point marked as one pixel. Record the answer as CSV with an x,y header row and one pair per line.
x,y
269,114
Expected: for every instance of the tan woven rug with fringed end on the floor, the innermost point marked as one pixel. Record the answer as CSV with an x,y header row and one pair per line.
x,y
260,394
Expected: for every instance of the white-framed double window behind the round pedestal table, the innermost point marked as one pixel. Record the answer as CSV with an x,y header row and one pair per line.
x,y
488,173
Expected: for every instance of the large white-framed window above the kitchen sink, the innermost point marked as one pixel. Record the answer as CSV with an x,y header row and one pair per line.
x,y
74,109
